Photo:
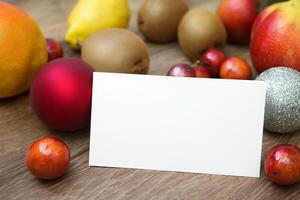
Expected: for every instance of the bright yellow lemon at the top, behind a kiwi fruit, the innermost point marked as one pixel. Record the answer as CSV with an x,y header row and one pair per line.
x,y
90,16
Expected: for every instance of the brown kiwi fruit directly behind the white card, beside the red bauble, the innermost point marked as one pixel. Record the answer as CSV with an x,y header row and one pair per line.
x,y
116,50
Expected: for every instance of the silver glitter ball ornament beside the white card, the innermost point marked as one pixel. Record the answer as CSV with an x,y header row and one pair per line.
x,y
282,112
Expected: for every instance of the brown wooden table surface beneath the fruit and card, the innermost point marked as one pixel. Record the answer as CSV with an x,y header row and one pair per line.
x,y
19,127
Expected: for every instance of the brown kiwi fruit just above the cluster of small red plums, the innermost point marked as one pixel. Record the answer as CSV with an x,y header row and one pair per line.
x,y
200,30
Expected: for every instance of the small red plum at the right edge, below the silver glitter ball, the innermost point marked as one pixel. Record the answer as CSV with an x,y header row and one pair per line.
x,y
282,164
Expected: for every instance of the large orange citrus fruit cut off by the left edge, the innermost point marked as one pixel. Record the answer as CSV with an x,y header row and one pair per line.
x,y
22,50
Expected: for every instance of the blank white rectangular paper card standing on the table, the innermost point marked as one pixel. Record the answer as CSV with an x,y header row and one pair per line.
x,y
177,124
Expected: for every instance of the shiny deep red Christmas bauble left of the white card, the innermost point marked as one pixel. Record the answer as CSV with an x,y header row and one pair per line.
x,y
61,94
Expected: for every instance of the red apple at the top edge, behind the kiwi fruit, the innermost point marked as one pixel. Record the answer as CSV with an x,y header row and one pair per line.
x,y
238,17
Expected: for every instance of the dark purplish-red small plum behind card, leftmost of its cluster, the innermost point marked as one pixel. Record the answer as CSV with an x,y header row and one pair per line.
x,y
181,70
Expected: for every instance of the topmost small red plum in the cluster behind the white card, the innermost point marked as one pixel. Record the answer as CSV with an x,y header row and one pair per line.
x,y
214,59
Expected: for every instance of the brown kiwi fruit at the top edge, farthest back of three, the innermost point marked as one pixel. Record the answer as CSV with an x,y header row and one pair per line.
x,y
158,20
